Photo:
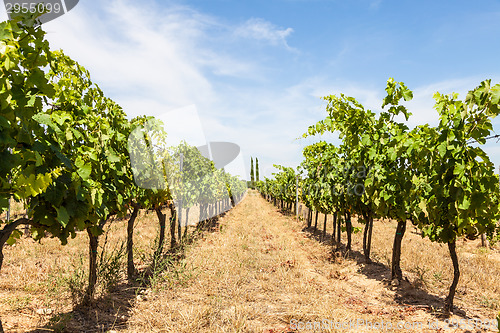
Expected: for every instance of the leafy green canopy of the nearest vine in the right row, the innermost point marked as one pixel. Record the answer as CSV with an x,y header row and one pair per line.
x,y
455,182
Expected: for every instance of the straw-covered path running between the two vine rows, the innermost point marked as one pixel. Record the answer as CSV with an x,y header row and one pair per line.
x,y
261,273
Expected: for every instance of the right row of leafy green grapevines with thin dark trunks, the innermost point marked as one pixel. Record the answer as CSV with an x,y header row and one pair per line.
x,y
437,178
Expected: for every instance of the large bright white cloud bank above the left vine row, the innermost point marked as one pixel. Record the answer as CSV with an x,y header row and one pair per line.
x,y
152,60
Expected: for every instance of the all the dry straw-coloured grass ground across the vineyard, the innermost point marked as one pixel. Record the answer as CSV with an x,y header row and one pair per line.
x,y
257,273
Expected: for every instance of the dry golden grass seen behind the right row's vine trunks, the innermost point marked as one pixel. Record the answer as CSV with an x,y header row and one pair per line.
x,y
427,265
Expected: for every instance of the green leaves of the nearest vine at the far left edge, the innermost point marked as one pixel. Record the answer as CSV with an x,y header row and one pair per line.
x,y
30,162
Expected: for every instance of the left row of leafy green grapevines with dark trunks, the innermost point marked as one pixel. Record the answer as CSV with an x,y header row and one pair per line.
x,y
74,162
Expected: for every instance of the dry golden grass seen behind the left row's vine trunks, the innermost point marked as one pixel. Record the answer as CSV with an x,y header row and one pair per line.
x,y
35,277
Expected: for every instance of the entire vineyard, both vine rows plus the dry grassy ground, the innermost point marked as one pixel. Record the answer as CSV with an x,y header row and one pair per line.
x,y
104,226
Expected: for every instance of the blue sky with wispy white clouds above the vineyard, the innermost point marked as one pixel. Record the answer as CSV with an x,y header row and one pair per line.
x,y
253,72
